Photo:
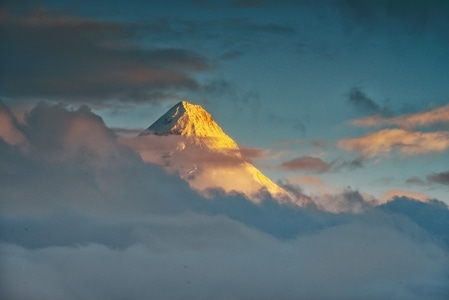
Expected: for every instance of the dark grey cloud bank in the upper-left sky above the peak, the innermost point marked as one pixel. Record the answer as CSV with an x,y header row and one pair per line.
x,y
52,55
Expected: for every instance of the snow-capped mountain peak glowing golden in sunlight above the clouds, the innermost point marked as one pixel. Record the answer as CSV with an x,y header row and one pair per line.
x,y
195,146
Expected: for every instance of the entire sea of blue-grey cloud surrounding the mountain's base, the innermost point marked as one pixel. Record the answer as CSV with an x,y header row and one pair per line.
x,y
86,215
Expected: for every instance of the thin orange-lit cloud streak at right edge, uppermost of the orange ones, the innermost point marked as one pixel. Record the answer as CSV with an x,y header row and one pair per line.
x,y
435,116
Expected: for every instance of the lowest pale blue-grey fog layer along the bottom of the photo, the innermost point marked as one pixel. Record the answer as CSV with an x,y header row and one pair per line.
x,y
223,259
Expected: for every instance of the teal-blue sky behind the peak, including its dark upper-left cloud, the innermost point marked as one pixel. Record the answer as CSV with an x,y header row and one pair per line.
x,y
290,73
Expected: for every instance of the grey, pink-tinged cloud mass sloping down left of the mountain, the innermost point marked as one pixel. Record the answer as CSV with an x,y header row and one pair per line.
x,y
73,159
